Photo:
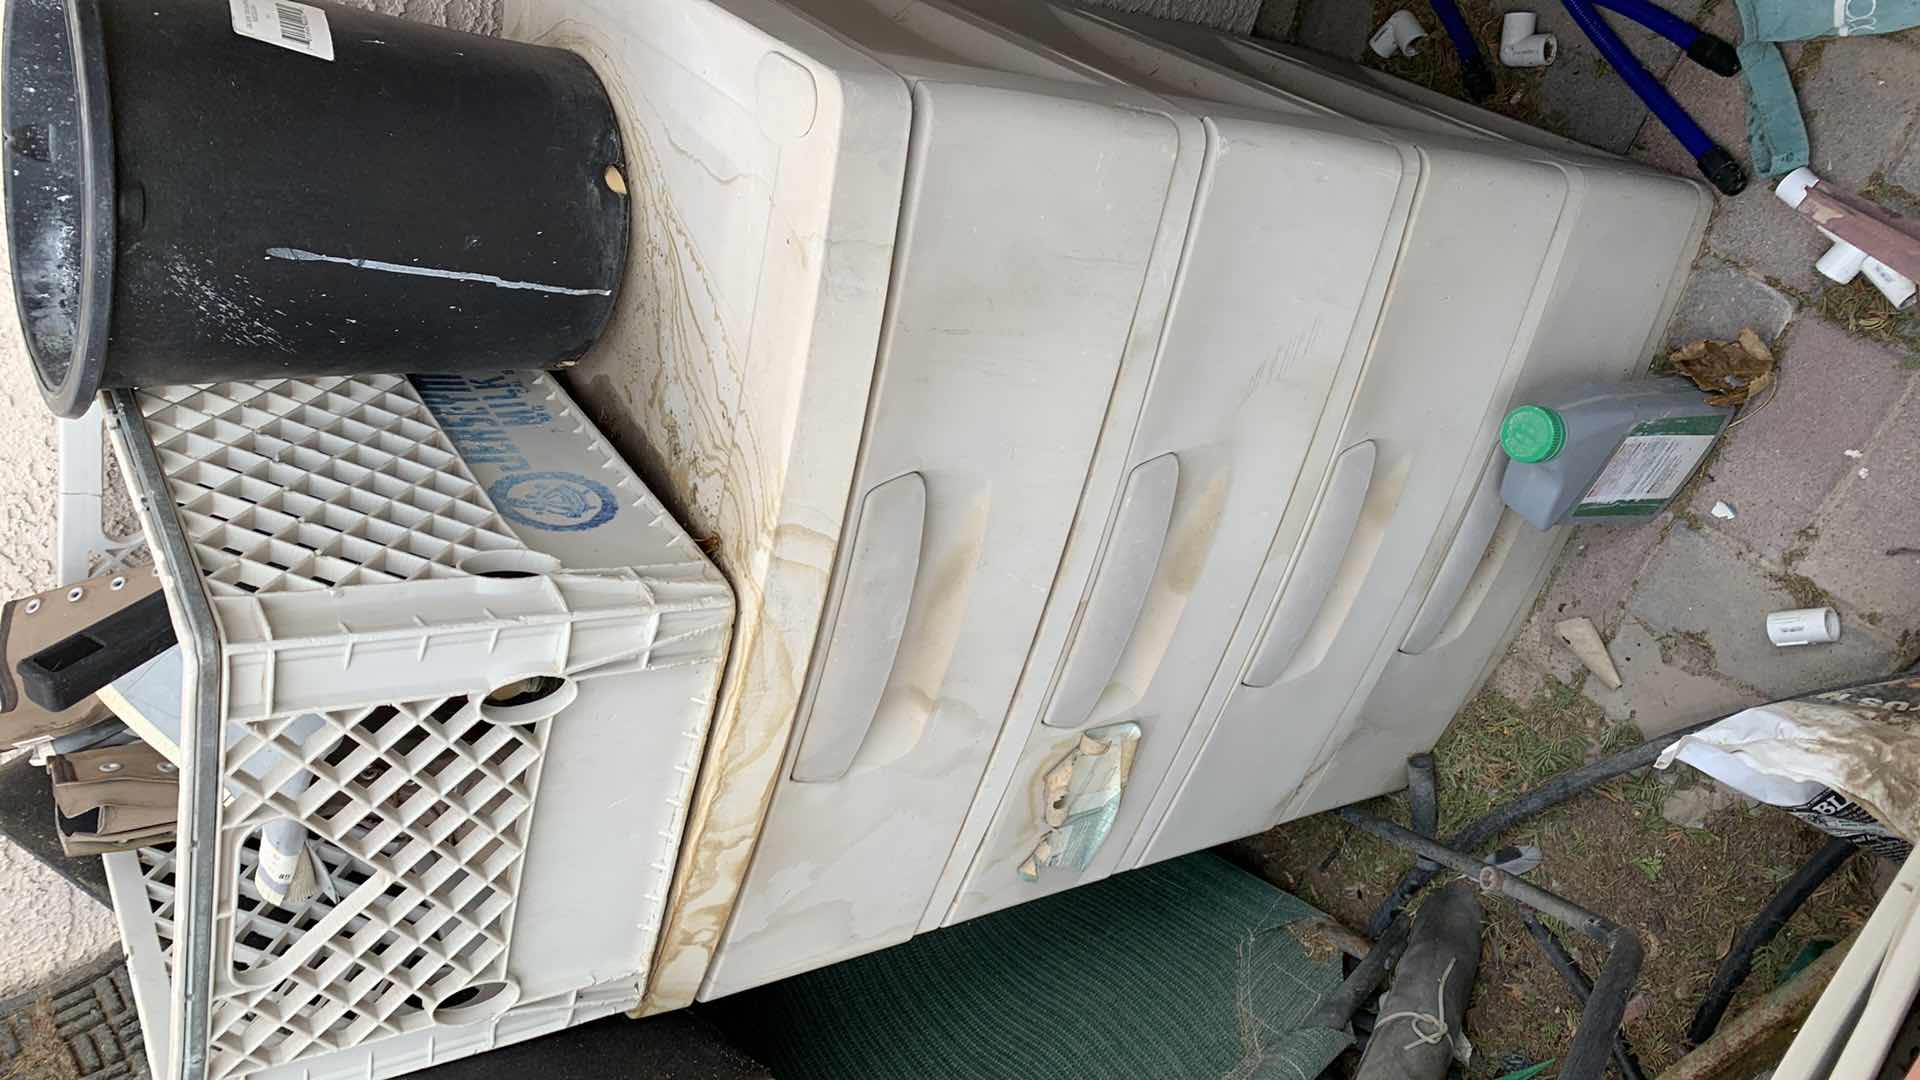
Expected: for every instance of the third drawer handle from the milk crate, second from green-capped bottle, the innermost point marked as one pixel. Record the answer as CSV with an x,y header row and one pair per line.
x,y
1320,560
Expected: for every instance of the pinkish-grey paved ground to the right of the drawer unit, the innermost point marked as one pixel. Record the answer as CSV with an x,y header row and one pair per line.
x,y
1821,479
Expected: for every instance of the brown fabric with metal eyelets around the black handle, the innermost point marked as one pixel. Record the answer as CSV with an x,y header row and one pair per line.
x,y
32,624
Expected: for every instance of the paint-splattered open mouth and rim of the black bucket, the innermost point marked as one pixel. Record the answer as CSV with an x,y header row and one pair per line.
x,y
60,195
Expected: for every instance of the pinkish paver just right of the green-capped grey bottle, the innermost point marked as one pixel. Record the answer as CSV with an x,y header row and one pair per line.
x,y
1788,456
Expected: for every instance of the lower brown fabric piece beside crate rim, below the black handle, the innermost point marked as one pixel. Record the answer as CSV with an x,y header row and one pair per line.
x,y
114,800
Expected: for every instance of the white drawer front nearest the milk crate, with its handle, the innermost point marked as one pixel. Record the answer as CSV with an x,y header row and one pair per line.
x,y
1030,230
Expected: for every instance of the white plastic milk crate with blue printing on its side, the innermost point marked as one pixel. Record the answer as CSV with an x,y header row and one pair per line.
x,y
444,627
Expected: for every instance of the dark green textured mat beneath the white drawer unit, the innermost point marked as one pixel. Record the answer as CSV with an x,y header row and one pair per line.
x,y
1174,971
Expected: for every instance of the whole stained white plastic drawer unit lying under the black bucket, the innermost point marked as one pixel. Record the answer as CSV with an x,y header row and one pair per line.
x,y
1097,424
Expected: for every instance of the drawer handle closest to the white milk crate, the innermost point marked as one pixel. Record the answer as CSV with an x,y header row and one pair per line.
x,y
867,629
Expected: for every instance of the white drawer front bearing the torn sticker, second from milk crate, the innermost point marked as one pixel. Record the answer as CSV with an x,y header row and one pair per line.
x,y
1259,353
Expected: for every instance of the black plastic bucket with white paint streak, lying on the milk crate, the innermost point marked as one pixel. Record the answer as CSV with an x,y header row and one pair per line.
x,y
191,205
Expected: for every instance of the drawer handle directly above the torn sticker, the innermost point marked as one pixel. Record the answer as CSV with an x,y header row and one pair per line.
x,y
1118,591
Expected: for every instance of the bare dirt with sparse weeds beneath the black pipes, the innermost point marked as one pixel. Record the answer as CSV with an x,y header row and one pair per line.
x,y
1689,891
